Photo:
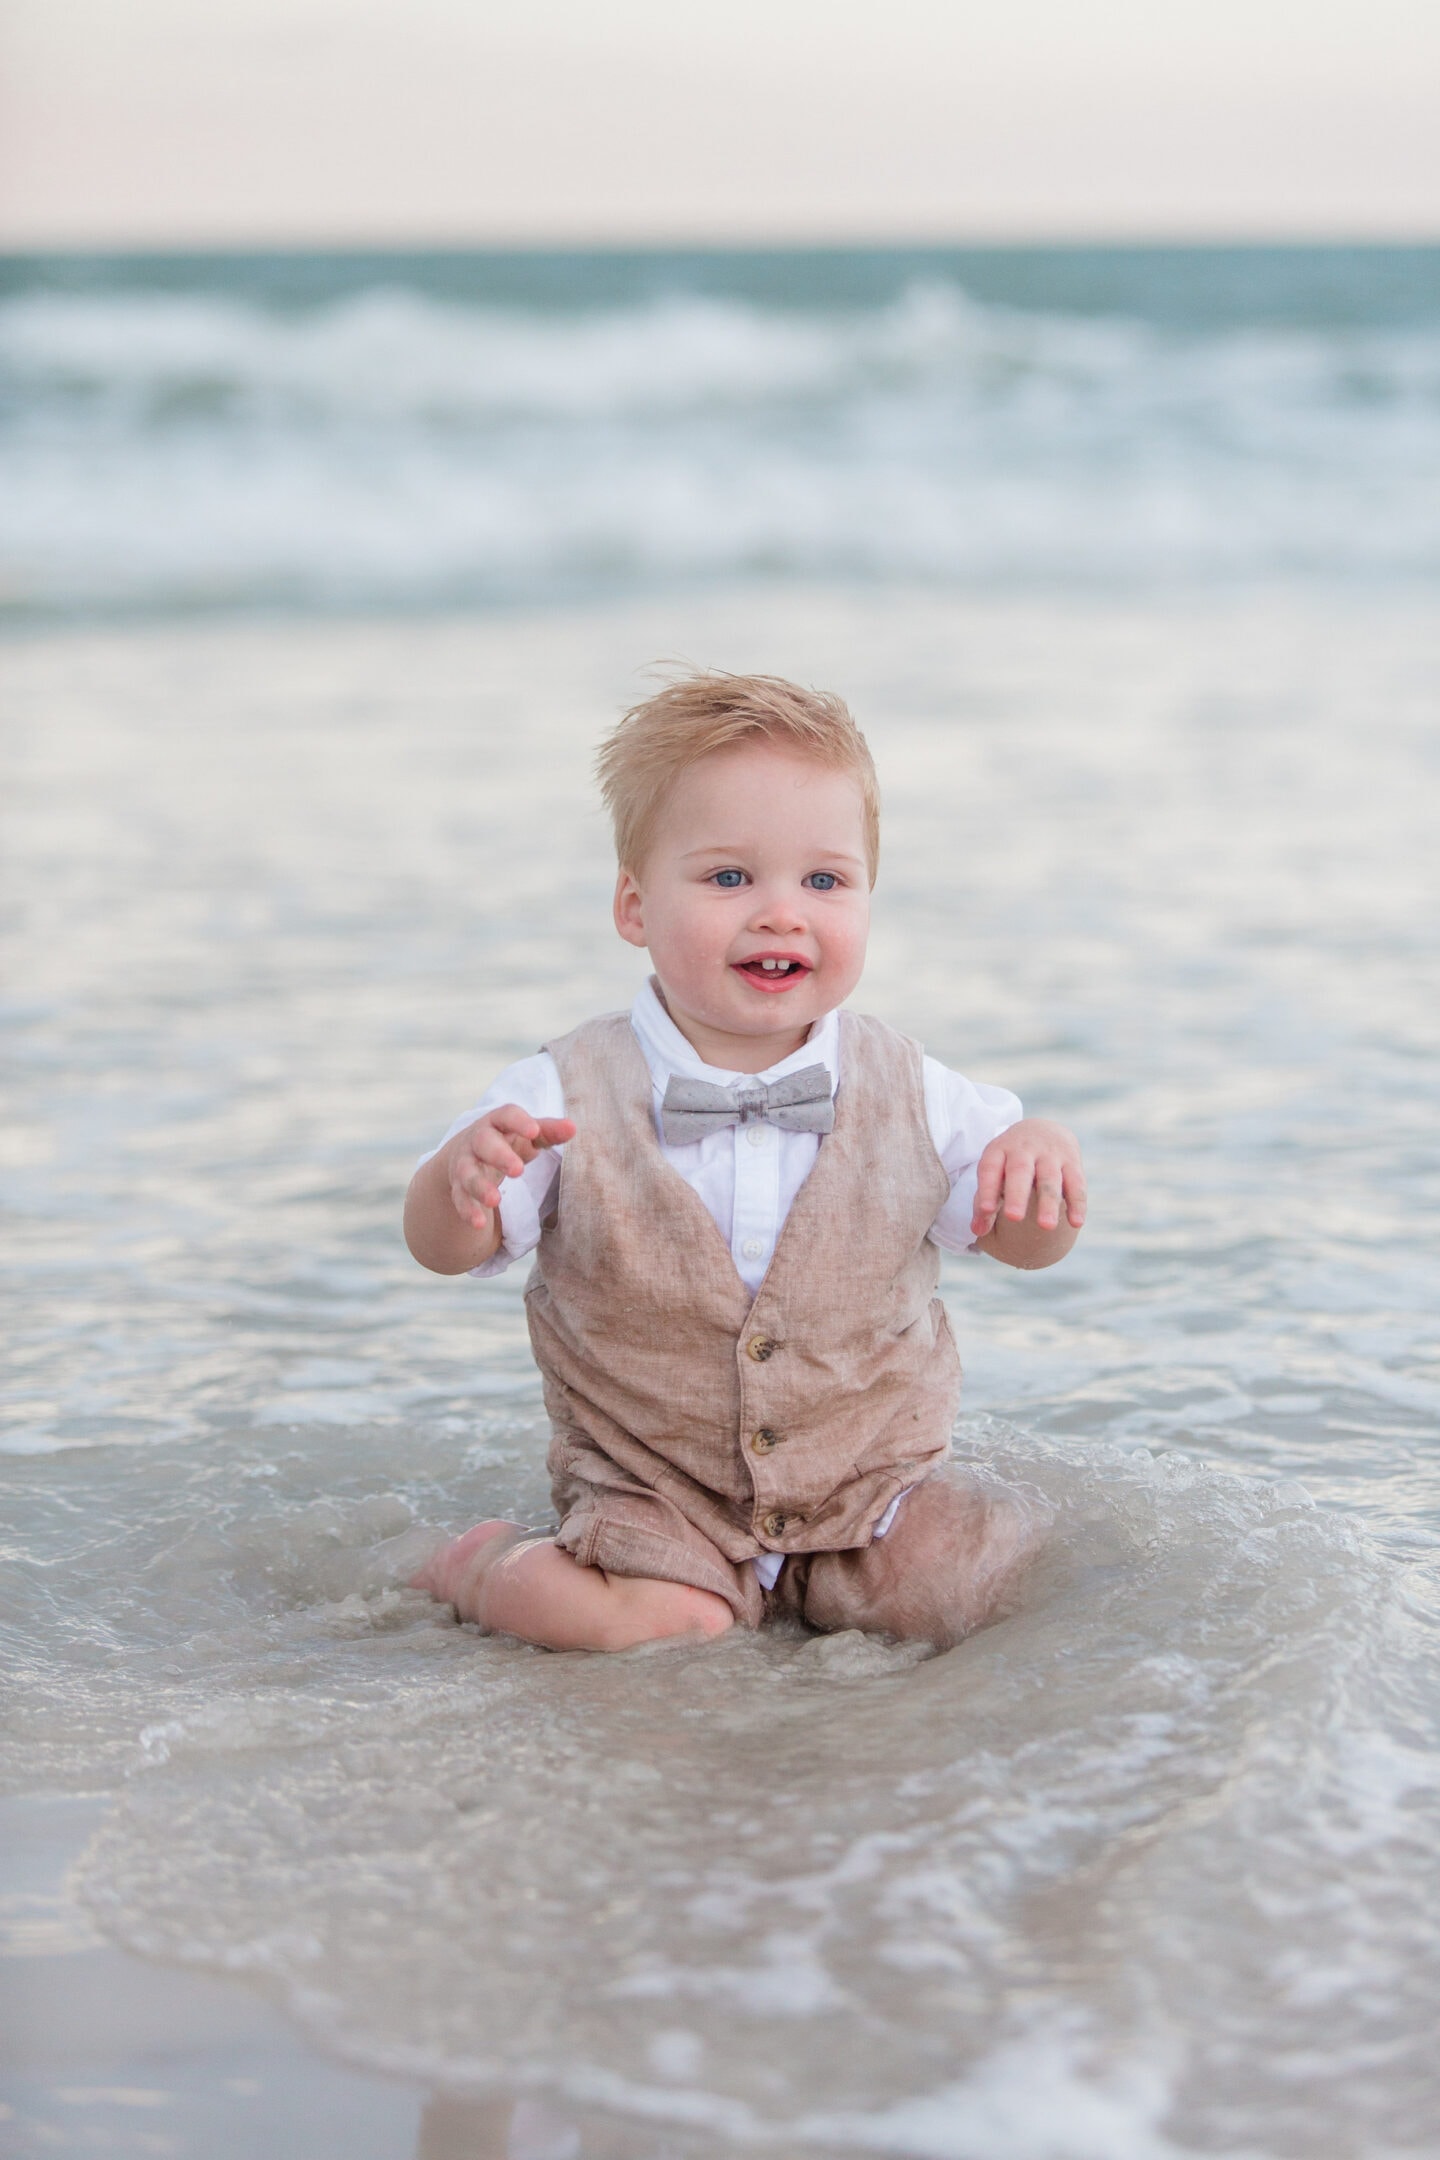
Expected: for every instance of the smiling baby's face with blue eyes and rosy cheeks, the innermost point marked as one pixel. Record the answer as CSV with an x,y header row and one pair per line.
x,y
759,856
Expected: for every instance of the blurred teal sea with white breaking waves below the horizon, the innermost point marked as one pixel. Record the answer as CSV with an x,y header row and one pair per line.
x,y
470,429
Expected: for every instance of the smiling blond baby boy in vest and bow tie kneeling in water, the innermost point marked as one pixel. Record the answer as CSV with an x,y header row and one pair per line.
x,y
737,1196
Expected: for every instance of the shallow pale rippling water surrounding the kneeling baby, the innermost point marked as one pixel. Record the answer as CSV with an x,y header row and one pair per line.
x,y
1150,1867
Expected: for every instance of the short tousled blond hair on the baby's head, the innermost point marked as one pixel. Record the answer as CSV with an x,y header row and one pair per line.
x,y
647,753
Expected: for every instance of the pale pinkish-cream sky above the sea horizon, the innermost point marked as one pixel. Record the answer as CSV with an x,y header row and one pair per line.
x,y
191,122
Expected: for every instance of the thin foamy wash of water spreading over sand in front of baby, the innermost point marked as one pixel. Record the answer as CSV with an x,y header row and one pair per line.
x,y
1096,1861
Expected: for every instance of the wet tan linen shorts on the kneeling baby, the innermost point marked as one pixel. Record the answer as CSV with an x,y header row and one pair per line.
x,y
942,1569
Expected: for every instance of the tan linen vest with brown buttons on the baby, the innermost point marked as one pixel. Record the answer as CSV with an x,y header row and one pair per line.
x,y
785,1425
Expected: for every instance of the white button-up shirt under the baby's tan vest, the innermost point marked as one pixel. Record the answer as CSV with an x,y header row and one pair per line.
x,y
748,1176
